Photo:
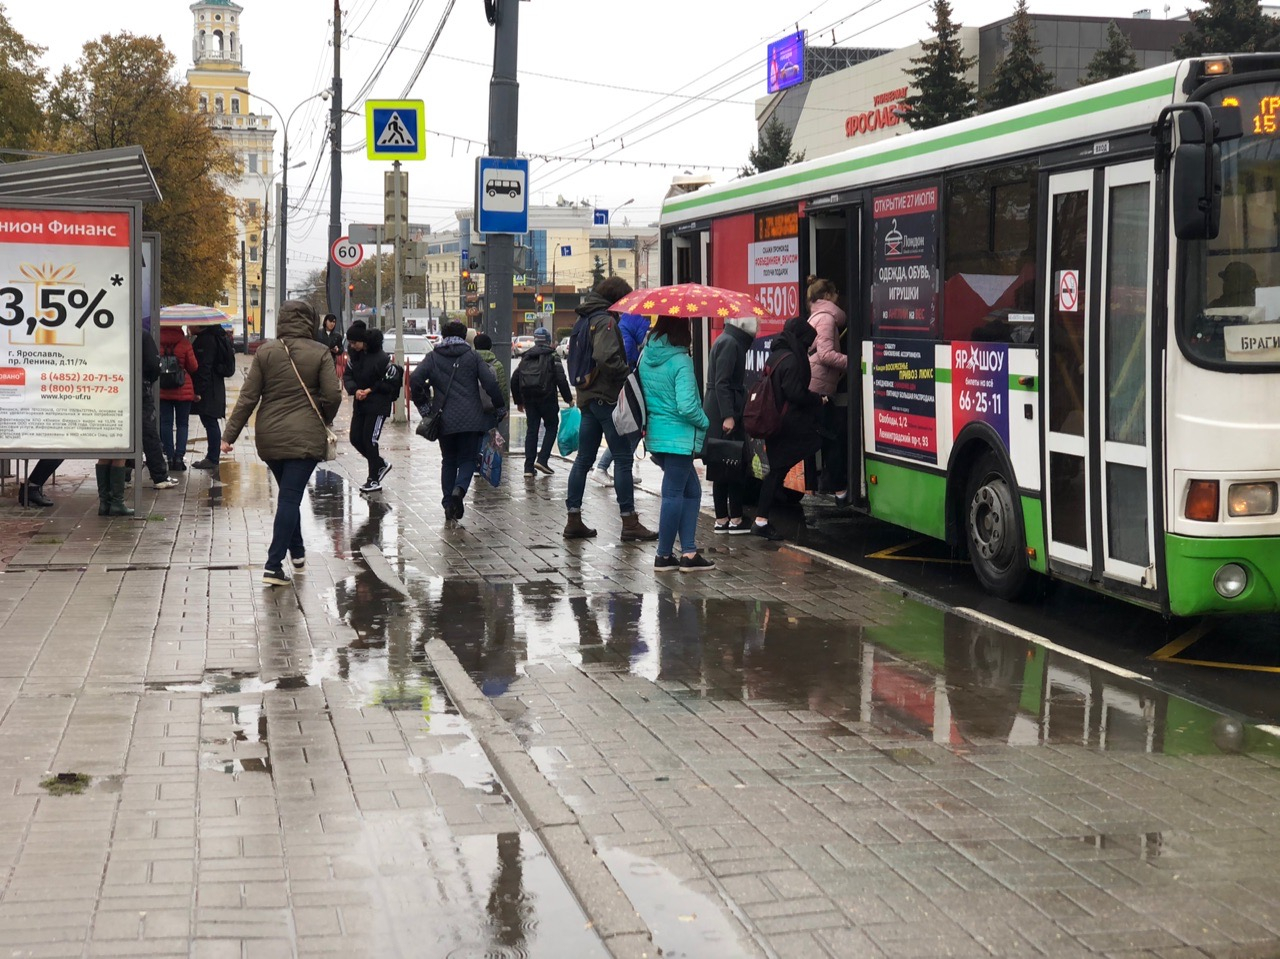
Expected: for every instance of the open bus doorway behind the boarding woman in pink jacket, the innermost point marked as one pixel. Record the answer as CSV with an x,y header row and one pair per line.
x,y
831,249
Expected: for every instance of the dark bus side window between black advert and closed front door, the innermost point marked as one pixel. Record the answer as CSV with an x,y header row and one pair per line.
x,y
990,271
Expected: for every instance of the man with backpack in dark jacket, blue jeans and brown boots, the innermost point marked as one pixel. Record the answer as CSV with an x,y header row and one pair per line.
x,y
597,369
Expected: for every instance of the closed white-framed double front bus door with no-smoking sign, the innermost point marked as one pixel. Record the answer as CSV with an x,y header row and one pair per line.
x,y
1098,375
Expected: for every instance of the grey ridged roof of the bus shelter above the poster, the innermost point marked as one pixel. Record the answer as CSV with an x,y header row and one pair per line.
x,y
121,176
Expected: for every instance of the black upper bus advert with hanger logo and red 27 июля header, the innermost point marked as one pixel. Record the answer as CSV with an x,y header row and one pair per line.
x,y
906,263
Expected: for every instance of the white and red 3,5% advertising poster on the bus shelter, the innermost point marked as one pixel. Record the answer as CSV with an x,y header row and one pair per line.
x,y
66,280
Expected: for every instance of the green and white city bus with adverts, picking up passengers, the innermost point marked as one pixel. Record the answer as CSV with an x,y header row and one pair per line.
x,y
1068,317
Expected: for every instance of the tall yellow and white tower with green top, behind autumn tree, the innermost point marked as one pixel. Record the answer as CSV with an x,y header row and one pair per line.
x,y
220,70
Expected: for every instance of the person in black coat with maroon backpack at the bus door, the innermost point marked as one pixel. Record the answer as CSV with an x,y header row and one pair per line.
x,y
798,436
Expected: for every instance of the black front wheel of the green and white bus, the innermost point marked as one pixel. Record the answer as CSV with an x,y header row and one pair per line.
x,y
994,531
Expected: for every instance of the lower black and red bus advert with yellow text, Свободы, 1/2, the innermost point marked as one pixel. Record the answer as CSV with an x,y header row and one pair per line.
x,y
906,400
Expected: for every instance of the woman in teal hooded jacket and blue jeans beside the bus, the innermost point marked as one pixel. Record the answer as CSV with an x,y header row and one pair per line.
x,y
675,431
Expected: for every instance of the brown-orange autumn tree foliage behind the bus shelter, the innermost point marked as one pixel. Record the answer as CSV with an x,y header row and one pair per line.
x,y
125,92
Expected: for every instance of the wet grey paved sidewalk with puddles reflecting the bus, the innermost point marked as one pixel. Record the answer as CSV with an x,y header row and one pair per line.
x,y
775,759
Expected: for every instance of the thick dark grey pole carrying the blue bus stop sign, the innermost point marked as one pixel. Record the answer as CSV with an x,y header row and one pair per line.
x,y
504,124
